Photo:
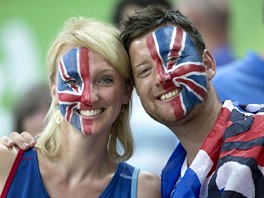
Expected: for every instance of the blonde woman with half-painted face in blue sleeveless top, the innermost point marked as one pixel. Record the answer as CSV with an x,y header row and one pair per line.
x,y
77,154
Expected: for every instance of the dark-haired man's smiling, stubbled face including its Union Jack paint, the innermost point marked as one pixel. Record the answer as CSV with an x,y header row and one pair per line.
x,y
169,74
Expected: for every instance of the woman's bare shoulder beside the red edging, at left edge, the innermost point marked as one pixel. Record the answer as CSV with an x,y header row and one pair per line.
x,y
7,158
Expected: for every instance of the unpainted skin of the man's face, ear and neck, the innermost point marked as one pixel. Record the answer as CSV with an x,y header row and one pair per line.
x,y
151,87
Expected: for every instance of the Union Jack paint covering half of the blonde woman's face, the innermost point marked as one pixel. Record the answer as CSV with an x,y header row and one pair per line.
x,y
74,88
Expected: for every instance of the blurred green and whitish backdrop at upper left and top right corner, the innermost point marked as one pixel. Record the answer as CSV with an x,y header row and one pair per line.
x,y
40,20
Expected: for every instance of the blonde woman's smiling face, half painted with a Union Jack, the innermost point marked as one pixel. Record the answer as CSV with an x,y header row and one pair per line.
x,y
90,91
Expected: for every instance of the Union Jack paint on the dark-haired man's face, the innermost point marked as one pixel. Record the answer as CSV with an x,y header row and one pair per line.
x,y
178,64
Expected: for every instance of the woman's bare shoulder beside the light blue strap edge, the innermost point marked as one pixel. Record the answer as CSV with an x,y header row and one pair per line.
x,y
148,185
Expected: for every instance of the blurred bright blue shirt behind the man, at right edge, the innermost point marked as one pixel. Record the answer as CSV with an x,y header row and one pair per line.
x,y
241,80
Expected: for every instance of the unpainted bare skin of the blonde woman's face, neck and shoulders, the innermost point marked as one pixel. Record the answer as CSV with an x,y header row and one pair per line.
x,y
96,169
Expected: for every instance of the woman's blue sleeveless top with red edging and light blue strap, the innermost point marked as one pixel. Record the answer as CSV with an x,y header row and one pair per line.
x,y
25,181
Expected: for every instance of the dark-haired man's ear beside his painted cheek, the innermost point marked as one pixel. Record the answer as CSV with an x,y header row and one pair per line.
x,y
209,64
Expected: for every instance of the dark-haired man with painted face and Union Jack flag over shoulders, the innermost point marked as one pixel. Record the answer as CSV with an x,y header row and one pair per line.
x,y
221,149
